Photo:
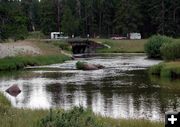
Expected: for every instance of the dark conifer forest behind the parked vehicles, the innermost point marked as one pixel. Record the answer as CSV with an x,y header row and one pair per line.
x,y
103,18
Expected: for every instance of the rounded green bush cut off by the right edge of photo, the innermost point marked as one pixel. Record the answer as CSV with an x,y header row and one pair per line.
x,y
171,51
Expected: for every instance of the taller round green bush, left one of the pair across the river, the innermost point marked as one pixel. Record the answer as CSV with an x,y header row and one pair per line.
x,y
152,47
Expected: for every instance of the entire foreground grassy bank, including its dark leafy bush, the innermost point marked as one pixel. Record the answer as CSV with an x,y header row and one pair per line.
x,y
12,117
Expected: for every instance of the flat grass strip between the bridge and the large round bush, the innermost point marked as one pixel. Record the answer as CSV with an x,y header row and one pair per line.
x,y
122,46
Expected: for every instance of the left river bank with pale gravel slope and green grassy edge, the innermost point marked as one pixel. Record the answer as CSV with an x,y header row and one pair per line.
x,y
20,54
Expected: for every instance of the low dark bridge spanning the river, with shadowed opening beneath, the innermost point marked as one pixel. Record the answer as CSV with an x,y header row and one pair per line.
x,y
84,46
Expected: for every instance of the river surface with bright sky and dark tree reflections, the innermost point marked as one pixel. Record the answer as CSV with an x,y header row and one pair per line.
x,y
122,90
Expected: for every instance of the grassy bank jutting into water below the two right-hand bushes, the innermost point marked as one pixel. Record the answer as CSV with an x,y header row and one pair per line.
x,y
166,69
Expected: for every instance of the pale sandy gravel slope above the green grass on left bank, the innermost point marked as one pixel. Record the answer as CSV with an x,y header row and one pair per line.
x,y
18,48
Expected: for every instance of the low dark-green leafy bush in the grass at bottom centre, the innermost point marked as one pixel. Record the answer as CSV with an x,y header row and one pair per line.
x,y
77,117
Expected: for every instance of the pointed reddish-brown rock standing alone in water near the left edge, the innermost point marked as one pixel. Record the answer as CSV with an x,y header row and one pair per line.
x,y
13,90
